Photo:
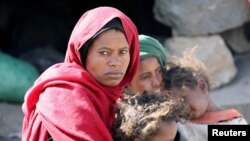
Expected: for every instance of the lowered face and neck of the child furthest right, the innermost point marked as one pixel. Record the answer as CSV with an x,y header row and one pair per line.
x,y
197,99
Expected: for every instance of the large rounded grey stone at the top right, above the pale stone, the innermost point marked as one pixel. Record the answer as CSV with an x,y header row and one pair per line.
x,y
201,17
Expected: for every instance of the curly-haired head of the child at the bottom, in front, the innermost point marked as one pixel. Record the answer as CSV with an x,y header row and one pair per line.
x,y
148,117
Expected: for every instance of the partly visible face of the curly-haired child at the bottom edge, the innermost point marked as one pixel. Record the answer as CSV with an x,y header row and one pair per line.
x,y
167,132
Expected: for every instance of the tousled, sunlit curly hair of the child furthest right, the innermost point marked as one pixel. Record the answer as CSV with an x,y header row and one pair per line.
x,y
185,71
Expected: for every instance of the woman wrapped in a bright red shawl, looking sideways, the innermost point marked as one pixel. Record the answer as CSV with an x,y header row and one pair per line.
x,y
75,100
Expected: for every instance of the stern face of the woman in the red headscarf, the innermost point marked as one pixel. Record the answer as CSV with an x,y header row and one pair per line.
x,y
108,57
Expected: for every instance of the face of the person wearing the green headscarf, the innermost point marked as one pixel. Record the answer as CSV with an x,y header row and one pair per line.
x,y
148,77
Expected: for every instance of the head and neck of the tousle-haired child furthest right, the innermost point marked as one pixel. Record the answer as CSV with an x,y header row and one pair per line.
x,y
187,77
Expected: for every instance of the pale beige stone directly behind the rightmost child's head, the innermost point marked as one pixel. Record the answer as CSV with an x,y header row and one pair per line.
x,y
212,52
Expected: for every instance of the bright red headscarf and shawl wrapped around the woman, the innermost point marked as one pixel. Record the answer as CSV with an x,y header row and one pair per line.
x,y
66,102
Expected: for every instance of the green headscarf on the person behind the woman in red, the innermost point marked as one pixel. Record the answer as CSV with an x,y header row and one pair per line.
x,y
152,47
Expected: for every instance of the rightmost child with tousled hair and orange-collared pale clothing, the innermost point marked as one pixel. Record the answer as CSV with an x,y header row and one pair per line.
x,y
187,78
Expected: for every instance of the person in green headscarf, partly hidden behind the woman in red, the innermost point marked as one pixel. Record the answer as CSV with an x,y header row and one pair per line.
x,y
153,60
